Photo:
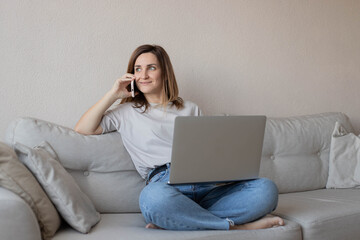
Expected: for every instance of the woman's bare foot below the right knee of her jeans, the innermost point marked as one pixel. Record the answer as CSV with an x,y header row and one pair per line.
x,y
265,222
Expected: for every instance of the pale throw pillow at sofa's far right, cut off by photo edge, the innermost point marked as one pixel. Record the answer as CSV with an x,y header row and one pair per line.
x,y
344,160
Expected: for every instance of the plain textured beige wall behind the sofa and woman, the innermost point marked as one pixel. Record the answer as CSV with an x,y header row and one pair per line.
x,y
273,57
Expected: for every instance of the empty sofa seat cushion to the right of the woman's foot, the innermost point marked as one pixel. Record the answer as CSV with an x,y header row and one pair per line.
x,y
323,214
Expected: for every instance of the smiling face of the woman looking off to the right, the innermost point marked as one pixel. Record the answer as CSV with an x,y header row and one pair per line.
x,y
148,76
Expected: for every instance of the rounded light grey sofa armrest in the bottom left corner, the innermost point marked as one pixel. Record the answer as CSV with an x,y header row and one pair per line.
x,y
17,220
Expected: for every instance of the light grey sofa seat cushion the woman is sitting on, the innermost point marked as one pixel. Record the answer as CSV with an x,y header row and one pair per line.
x,y
132,226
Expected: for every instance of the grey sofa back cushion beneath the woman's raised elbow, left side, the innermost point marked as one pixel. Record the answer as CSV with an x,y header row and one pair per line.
x,y
100,164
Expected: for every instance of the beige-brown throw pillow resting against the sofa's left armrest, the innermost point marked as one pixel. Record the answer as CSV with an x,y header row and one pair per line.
x,y
15,177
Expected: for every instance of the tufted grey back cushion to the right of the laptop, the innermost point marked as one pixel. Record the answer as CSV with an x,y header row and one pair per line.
x,y
296,150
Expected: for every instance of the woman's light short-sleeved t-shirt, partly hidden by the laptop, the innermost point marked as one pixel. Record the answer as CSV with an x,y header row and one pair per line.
x,y
146,136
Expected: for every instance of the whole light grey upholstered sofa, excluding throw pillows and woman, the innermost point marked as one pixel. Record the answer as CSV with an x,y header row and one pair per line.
x,y
295,156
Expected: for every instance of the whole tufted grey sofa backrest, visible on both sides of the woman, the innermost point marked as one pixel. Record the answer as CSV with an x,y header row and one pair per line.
x,y
295,156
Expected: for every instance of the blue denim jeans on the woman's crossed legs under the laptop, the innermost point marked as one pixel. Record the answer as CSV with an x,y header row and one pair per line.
x,y
206,206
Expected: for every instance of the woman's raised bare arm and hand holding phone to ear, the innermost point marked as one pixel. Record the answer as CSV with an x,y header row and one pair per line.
x,y
89,123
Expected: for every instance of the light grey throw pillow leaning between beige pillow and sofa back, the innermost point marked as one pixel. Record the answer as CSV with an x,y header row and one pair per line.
x,y
73,205
